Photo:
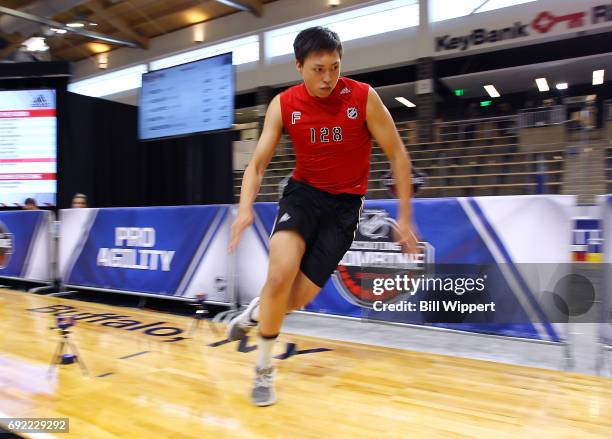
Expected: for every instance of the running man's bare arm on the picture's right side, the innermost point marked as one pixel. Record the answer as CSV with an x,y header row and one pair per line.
x,y
381,126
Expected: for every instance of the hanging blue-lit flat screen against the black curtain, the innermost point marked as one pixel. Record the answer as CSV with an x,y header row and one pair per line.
x,y
189,98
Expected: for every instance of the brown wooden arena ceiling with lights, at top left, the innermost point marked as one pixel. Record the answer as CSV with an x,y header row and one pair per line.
x,y
128,22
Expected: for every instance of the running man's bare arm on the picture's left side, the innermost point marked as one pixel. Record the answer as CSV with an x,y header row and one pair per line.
x,y
254,173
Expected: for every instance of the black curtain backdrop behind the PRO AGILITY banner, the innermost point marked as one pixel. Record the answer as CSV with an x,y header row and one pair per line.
x,y
101,156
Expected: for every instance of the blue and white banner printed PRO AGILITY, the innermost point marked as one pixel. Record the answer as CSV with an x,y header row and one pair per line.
x,y
170,251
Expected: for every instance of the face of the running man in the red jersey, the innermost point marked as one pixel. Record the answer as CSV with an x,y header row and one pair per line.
x,y
320,72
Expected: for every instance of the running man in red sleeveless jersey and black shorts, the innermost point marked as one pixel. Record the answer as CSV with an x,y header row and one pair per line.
x,y
331,122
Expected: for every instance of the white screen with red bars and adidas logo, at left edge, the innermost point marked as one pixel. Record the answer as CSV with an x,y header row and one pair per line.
x,y
28,147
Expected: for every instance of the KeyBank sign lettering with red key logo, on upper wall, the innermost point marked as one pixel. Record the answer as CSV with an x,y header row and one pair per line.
x,y
543,23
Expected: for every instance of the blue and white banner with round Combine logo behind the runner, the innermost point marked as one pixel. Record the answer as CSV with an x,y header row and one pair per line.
x,y
512,250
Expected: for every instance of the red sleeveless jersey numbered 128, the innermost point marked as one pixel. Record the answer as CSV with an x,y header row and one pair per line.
x,y
331,141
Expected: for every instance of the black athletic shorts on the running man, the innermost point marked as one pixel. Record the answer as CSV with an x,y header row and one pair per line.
x,y
327,222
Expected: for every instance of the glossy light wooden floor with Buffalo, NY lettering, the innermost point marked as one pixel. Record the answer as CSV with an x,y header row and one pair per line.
x,y
188,389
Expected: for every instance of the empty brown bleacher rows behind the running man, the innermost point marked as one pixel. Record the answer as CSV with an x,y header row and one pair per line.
x,y
486,161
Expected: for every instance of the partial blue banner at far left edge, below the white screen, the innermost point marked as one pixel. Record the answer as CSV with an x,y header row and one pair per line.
x,y
25,240
